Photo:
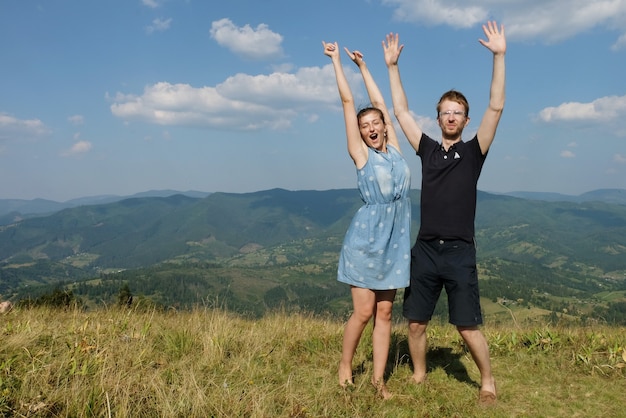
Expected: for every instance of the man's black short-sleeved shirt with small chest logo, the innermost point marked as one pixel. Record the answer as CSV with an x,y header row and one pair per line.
x,y
449,183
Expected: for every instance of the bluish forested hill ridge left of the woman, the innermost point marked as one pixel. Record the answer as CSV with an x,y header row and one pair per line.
x,y
143,231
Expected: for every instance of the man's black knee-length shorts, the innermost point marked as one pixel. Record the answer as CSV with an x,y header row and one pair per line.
x,y
439,263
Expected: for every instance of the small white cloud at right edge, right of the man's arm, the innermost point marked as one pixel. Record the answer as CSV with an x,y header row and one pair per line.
x,y
603,109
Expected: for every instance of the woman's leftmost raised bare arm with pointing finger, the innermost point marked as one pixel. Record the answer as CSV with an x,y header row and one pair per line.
x,y
356,147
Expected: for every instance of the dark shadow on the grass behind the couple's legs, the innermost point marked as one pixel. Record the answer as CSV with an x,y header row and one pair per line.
x,y
436,358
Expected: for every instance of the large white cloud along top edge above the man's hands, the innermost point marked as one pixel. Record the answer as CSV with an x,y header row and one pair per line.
x,y
547,21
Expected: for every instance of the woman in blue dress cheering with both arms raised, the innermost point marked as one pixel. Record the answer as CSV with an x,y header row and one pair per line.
x,y
375,257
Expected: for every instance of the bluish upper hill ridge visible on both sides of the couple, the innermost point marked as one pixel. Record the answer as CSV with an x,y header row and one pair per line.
x,y
141,231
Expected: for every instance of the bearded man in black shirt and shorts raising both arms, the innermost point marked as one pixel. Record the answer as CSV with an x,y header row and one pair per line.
x,y
444,253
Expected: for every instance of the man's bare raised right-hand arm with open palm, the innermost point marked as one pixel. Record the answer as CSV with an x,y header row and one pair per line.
x,y
496,43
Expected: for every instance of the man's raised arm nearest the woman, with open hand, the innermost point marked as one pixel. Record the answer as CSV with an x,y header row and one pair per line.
x,y
411,129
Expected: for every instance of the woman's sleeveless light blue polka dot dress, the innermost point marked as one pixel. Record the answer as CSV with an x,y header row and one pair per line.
x,y
376,252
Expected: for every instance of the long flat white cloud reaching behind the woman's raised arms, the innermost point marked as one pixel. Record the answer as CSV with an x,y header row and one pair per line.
x,y
241,102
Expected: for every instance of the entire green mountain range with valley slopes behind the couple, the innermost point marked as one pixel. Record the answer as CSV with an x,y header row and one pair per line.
x,y
258,251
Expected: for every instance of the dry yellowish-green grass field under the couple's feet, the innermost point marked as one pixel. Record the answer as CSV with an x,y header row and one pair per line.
x,y
210,363
